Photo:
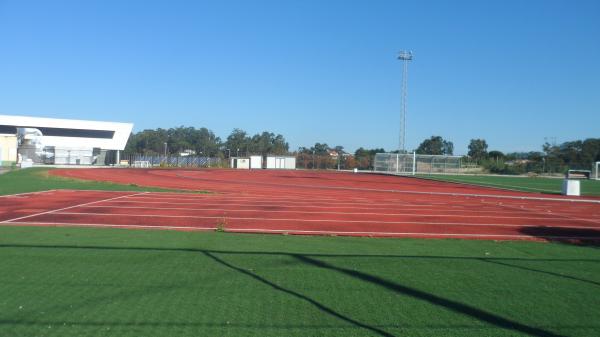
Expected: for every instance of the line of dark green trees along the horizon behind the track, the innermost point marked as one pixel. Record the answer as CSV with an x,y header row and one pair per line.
x,y
554,158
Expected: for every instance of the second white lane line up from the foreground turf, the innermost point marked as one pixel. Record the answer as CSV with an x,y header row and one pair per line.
x,y
316,220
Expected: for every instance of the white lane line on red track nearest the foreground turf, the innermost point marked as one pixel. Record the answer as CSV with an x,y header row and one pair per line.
x,y
302,231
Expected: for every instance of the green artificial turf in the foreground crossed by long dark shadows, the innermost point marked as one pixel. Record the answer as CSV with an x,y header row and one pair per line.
x,y
112,282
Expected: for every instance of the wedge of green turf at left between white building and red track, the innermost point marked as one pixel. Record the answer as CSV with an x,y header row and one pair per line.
x,y
38,179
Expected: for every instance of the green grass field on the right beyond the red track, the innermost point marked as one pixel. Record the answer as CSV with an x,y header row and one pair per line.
x,y
527,184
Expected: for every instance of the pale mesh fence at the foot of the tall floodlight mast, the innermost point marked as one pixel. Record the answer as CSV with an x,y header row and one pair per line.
x,y
401,163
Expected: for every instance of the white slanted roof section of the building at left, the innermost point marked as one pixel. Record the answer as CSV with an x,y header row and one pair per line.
x,y
73,133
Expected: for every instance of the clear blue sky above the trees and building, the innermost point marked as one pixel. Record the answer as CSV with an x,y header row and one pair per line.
x,y
511,72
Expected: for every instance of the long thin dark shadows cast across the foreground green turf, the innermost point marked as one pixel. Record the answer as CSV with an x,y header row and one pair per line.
x,y
311,259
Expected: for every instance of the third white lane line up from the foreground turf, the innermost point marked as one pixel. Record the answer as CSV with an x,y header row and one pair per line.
x,y
549,216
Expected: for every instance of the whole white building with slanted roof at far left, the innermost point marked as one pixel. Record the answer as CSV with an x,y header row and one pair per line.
x,y
61,141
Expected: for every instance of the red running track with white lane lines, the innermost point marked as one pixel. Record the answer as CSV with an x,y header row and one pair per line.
x,y
305,202
